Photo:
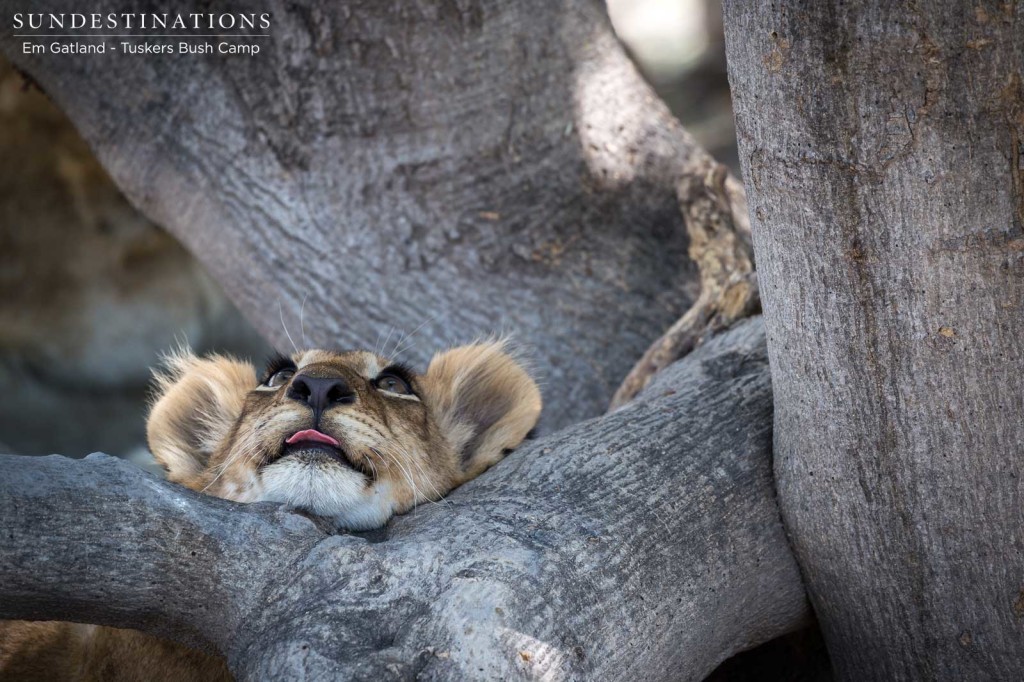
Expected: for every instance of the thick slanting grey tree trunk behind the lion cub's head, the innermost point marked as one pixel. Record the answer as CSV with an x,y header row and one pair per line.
x,y
473,167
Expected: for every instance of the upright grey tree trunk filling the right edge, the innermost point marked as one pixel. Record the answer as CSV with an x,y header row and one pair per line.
x,y
882,149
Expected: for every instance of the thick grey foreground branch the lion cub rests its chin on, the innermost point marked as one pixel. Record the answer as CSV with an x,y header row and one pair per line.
x,y
643,544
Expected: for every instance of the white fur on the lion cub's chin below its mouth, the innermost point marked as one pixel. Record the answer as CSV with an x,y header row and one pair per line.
x,y
328,491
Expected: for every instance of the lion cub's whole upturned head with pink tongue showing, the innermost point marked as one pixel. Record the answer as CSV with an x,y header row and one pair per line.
x,y
347,436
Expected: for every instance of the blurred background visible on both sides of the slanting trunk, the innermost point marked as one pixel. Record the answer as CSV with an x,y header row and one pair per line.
x,y
92,292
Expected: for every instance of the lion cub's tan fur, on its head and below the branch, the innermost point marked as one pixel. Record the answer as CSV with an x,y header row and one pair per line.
x,y
218,431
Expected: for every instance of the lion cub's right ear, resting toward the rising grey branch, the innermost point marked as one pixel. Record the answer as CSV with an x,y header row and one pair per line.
x,y
485,402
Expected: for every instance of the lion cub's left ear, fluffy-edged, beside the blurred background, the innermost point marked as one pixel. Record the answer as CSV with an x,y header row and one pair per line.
x,y
197,403
